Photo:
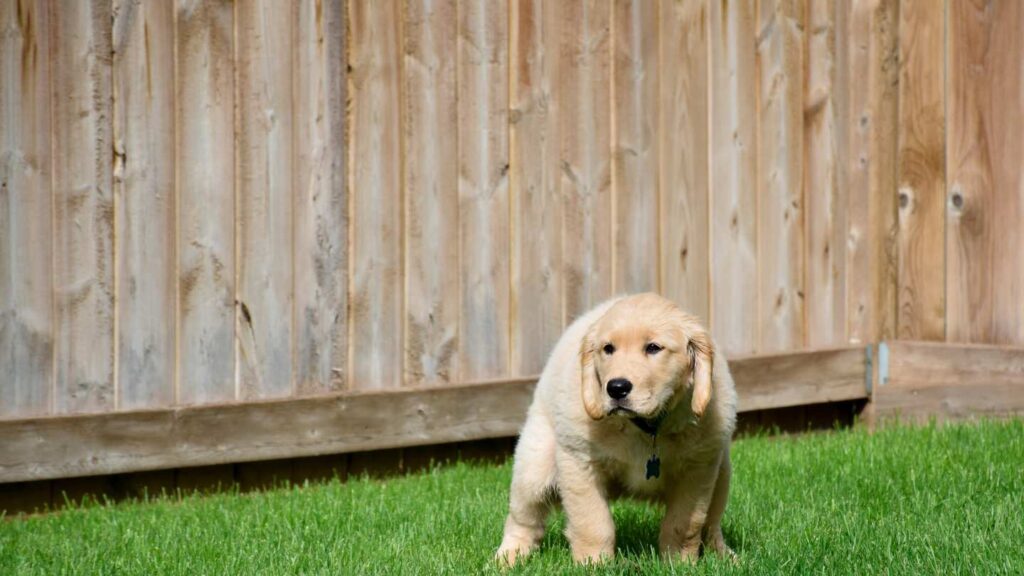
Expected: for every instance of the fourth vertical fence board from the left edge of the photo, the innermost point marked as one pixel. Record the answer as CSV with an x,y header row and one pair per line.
x,y
205,129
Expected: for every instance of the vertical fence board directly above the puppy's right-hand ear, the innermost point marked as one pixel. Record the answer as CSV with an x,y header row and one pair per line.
x,y
684,169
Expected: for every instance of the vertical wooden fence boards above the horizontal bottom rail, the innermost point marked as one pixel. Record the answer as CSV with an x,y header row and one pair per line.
x,y
206,202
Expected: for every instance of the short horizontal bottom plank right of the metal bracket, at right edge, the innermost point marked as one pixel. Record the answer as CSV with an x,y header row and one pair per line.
x,y
948,382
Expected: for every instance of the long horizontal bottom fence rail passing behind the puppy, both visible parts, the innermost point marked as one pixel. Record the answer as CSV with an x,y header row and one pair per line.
x,y
56,447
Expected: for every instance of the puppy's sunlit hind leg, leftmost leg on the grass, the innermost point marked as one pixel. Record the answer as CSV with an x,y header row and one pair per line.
x,y
533,486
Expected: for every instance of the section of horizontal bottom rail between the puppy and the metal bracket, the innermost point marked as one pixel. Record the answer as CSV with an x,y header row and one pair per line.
x,y
799,379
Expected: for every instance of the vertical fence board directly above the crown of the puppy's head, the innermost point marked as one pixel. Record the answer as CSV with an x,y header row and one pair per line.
x,y
634,145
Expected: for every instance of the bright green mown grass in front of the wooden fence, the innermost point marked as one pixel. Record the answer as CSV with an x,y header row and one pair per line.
x,y
927,501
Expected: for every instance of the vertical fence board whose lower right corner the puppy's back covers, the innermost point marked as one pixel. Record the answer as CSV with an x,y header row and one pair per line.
x,y
534,180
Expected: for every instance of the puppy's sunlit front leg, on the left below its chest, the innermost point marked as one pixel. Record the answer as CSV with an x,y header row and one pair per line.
x,y
591,530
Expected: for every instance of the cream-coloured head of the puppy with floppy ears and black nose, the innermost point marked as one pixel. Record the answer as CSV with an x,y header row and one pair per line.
x,y
642,356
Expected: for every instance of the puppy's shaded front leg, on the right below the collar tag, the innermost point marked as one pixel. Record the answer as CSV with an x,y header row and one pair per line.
x,y
688,513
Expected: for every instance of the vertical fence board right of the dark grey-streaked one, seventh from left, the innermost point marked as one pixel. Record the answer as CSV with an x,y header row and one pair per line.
x,y
375,173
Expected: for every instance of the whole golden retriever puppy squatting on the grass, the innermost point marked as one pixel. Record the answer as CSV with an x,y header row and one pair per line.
x,y
634,401
